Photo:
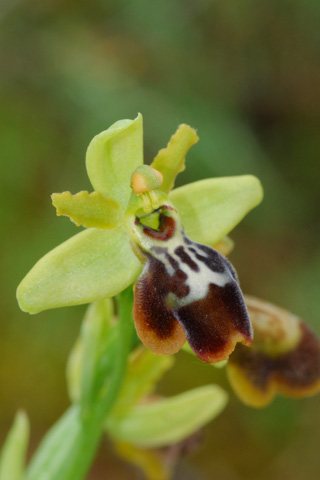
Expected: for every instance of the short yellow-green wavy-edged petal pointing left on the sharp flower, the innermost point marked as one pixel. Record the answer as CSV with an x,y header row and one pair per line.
x,y
91,210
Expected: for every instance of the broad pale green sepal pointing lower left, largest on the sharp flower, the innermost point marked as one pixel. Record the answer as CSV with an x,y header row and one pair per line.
x,y
90,266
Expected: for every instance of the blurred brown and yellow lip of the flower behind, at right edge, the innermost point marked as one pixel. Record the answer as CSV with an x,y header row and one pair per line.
x,y
284,359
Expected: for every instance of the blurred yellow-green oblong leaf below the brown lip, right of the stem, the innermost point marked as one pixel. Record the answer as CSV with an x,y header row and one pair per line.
x,y
170,420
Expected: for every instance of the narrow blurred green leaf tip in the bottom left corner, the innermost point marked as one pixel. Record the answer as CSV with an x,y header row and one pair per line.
x,y
14,449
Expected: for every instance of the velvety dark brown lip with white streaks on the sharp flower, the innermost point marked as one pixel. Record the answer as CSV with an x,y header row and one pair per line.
x,y
186,291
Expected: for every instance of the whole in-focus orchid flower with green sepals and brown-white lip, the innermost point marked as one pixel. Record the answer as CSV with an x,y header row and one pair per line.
x,y
187,289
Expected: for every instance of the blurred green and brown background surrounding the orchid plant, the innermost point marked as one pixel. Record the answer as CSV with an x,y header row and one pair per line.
x,y
246,75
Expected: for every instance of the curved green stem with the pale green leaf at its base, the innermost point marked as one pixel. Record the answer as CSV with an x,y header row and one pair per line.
x,y
68,449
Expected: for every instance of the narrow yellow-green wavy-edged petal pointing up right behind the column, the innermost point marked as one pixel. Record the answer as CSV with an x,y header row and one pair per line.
x,y
170,160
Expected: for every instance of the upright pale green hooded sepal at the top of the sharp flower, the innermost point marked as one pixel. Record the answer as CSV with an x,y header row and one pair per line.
x,y
113,155
